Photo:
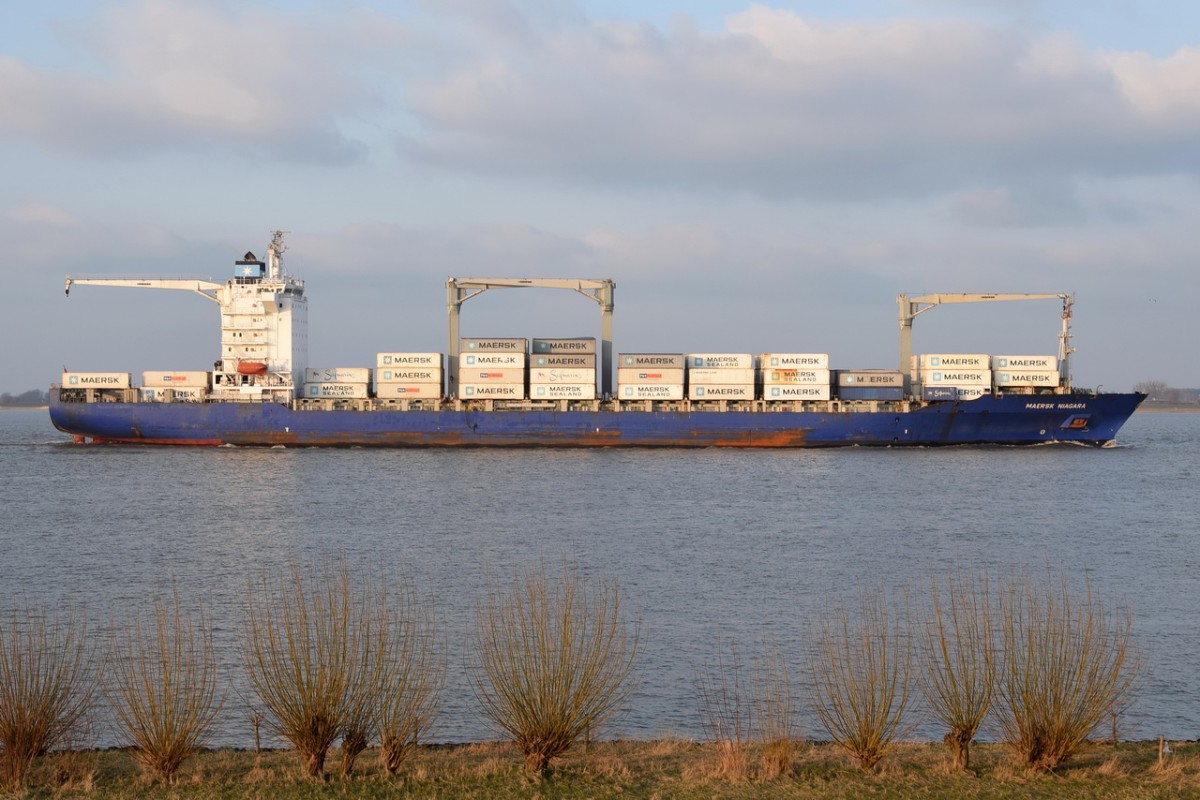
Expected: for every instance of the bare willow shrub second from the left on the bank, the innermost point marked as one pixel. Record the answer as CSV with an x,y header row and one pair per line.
x,y
164,688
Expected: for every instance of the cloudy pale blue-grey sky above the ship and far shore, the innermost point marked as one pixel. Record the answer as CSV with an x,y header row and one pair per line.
x,y
754,177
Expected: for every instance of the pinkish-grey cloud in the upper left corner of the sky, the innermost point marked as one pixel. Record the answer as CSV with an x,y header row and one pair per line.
x,y
167,75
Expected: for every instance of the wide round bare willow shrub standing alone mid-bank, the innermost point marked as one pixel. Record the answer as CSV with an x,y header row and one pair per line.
x,y
554,664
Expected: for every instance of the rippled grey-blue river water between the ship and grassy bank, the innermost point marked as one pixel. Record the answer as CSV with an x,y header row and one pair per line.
x,y
707,546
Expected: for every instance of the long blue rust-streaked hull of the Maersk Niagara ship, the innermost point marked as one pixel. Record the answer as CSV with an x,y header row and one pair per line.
x,y
1009,420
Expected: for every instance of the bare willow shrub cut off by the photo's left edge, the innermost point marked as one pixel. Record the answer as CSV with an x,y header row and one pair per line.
x,y
47,685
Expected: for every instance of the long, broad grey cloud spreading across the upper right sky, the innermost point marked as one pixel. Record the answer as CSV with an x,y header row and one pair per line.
x,y
783,106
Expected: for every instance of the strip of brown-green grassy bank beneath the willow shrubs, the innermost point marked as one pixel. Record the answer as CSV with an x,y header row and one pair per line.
x,y
637,769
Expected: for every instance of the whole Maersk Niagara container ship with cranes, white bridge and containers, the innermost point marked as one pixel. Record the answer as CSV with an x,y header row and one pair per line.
x,y
547,393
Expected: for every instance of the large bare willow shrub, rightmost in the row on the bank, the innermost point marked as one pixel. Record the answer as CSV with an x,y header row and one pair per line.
x,y
1070,664
